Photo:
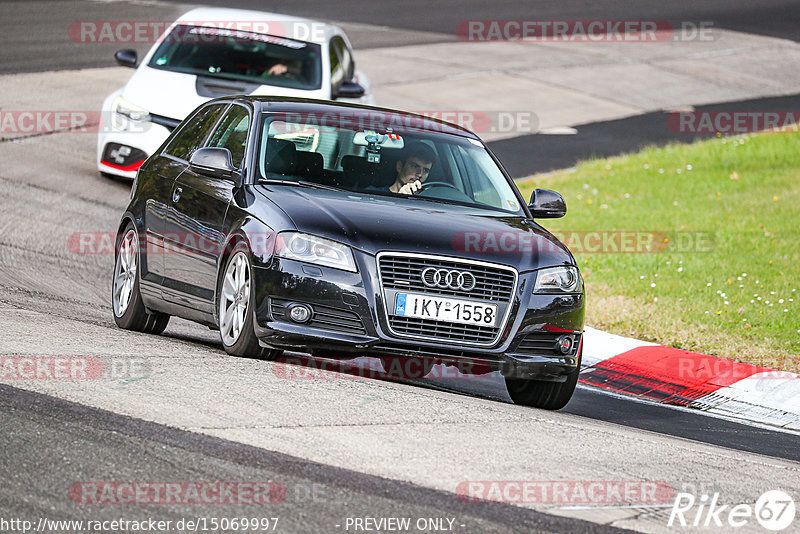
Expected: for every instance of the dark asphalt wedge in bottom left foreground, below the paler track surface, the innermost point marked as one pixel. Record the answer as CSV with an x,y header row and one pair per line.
x,y
85,444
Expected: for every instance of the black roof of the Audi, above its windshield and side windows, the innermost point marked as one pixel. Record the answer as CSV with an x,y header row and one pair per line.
x,y
391,116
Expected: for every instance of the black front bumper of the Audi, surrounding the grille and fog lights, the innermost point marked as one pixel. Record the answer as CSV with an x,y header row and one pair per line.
x,y
349,321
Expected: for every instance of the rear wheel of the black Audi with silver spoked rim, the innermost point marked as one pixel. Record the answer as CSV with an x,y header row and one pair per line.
x,y
126,300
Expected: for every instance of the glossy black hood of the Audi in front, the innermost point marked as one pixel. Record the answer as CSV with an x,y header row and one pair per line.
x,y
373,224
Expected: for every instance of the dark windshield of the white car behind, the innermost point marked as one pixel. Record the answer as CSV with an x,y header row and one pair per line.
x,y
240,55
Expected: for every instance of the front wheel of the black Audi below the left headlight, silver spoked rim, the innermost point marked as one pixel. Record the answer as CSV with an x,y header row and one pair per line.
x,y
235,305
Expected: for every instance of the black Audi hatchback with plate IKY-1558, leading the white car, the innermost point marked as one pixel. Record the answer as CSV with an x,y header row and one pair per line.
x,y
285,224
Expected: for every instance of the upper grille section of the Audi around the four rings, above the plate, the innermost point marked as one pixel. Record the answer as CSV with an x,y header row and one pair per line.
x,y
405,273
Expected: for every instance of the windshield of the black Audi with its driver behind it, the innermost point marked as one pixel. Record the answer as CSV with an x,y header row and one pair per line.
x,y
337,151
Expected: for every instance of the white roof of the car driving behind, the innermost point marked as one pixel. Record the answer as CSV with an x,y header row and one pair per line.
x,y
312,31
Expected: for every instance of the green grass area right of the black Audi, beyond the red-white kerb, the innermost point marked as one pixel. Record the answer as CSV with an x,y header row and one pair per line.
x,y
738,294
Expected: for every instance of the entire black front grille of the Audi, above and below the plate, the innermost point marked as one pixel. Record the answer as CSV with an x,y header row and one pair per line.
x,y
403,273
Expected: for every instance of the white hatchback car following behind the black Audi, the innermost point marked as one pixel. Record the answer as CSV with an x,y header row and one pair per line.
x,y
212,52
